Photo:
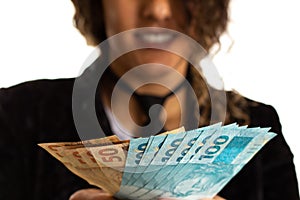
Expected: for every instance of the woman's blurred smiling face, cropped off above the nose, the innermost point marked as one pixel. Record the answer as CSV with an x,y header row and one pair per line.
x,y
122,15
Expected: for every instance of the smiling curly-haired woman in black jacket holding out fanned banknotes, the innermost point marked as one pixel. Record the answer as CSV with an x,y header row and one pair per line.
x,y
41,111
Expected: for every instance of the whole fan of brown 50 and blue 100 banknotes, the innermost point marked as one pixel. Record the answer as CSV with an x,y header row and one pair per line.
x,y
181,164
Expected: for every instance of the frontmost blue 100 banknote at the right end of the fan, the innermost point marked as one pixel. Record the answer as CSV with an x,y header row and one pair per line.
x,y
208,171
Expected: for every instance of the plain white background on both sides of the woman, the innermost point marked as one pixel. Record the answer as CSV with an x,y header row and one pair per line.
x,y
38,40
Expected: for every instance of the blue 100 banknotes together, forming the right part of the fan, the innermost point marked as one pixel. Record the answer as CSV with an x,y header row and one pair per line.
x,y
194,164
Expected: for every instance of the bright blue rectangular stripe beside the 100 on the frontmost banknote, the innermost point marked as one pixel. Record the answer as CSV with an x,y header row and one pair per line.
x,y
233,149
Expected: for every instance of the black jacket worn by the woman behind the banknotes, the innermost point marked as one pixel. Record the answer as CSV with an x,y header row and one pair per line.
x,y
41,111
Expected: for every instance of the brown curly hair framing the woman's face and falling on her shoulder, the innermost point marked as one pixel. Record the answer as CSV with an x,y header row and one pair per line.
x,y
208,19
